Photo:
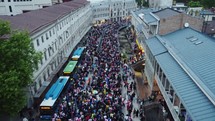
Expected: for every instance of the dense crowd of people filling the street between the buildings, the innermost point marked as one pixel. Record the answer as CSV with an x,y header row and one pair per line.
x,y
95,91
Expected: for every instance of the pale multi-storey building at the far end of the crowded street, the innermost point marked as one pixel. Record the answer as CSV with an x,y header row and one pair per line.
x,y
114,10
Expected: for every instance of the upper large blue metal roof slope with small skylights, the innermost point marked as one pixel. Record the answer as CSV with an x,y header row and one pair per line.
x,y
196,53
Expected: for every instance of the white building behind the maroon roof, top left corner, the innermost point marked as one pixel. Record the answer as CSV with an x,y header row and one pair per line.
x,y
14,7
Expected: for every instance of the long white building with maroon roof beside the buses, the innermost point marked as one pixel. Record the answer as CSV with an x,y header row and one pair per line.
x,y
55,31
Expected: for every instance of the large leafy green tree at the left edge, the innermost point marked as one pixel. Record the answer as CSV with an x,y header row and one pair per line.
x,y
18,61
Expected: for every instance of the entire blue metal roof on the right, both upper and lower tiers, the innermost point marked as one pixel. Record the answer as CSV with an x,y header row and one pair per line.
x,y
188,63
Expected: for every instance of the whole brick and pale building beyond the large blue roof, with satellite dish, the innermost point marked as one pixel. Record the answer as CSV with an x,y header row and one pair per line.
x,y
150,22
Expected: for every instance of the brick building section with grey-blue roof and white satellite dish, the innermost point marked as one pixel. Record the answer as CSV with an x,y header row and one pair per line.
x,y
172,20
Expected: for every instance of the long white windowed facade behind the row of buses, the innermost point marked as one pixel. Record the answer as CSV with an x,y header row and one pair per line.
x,y
67,33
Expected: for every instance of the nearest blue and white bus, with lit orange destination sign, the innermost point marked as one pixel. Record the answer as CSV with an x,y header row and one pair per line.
x,y
47,107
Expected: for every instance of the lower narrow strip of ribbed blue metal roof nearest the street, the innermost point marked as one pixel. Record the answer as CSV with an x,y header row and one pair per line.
x,y
194,100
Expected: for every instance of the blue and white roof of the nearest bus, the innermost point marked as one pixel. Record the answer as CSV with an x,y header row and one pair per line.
x,y
53,93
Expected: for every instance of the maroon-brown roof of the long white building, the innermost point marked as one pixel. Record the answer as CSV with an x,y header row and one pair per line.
x,y
36,20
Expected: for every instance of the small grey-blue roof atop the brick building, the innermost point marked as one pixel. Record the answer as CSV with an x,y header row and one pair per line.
x,y
166,13
